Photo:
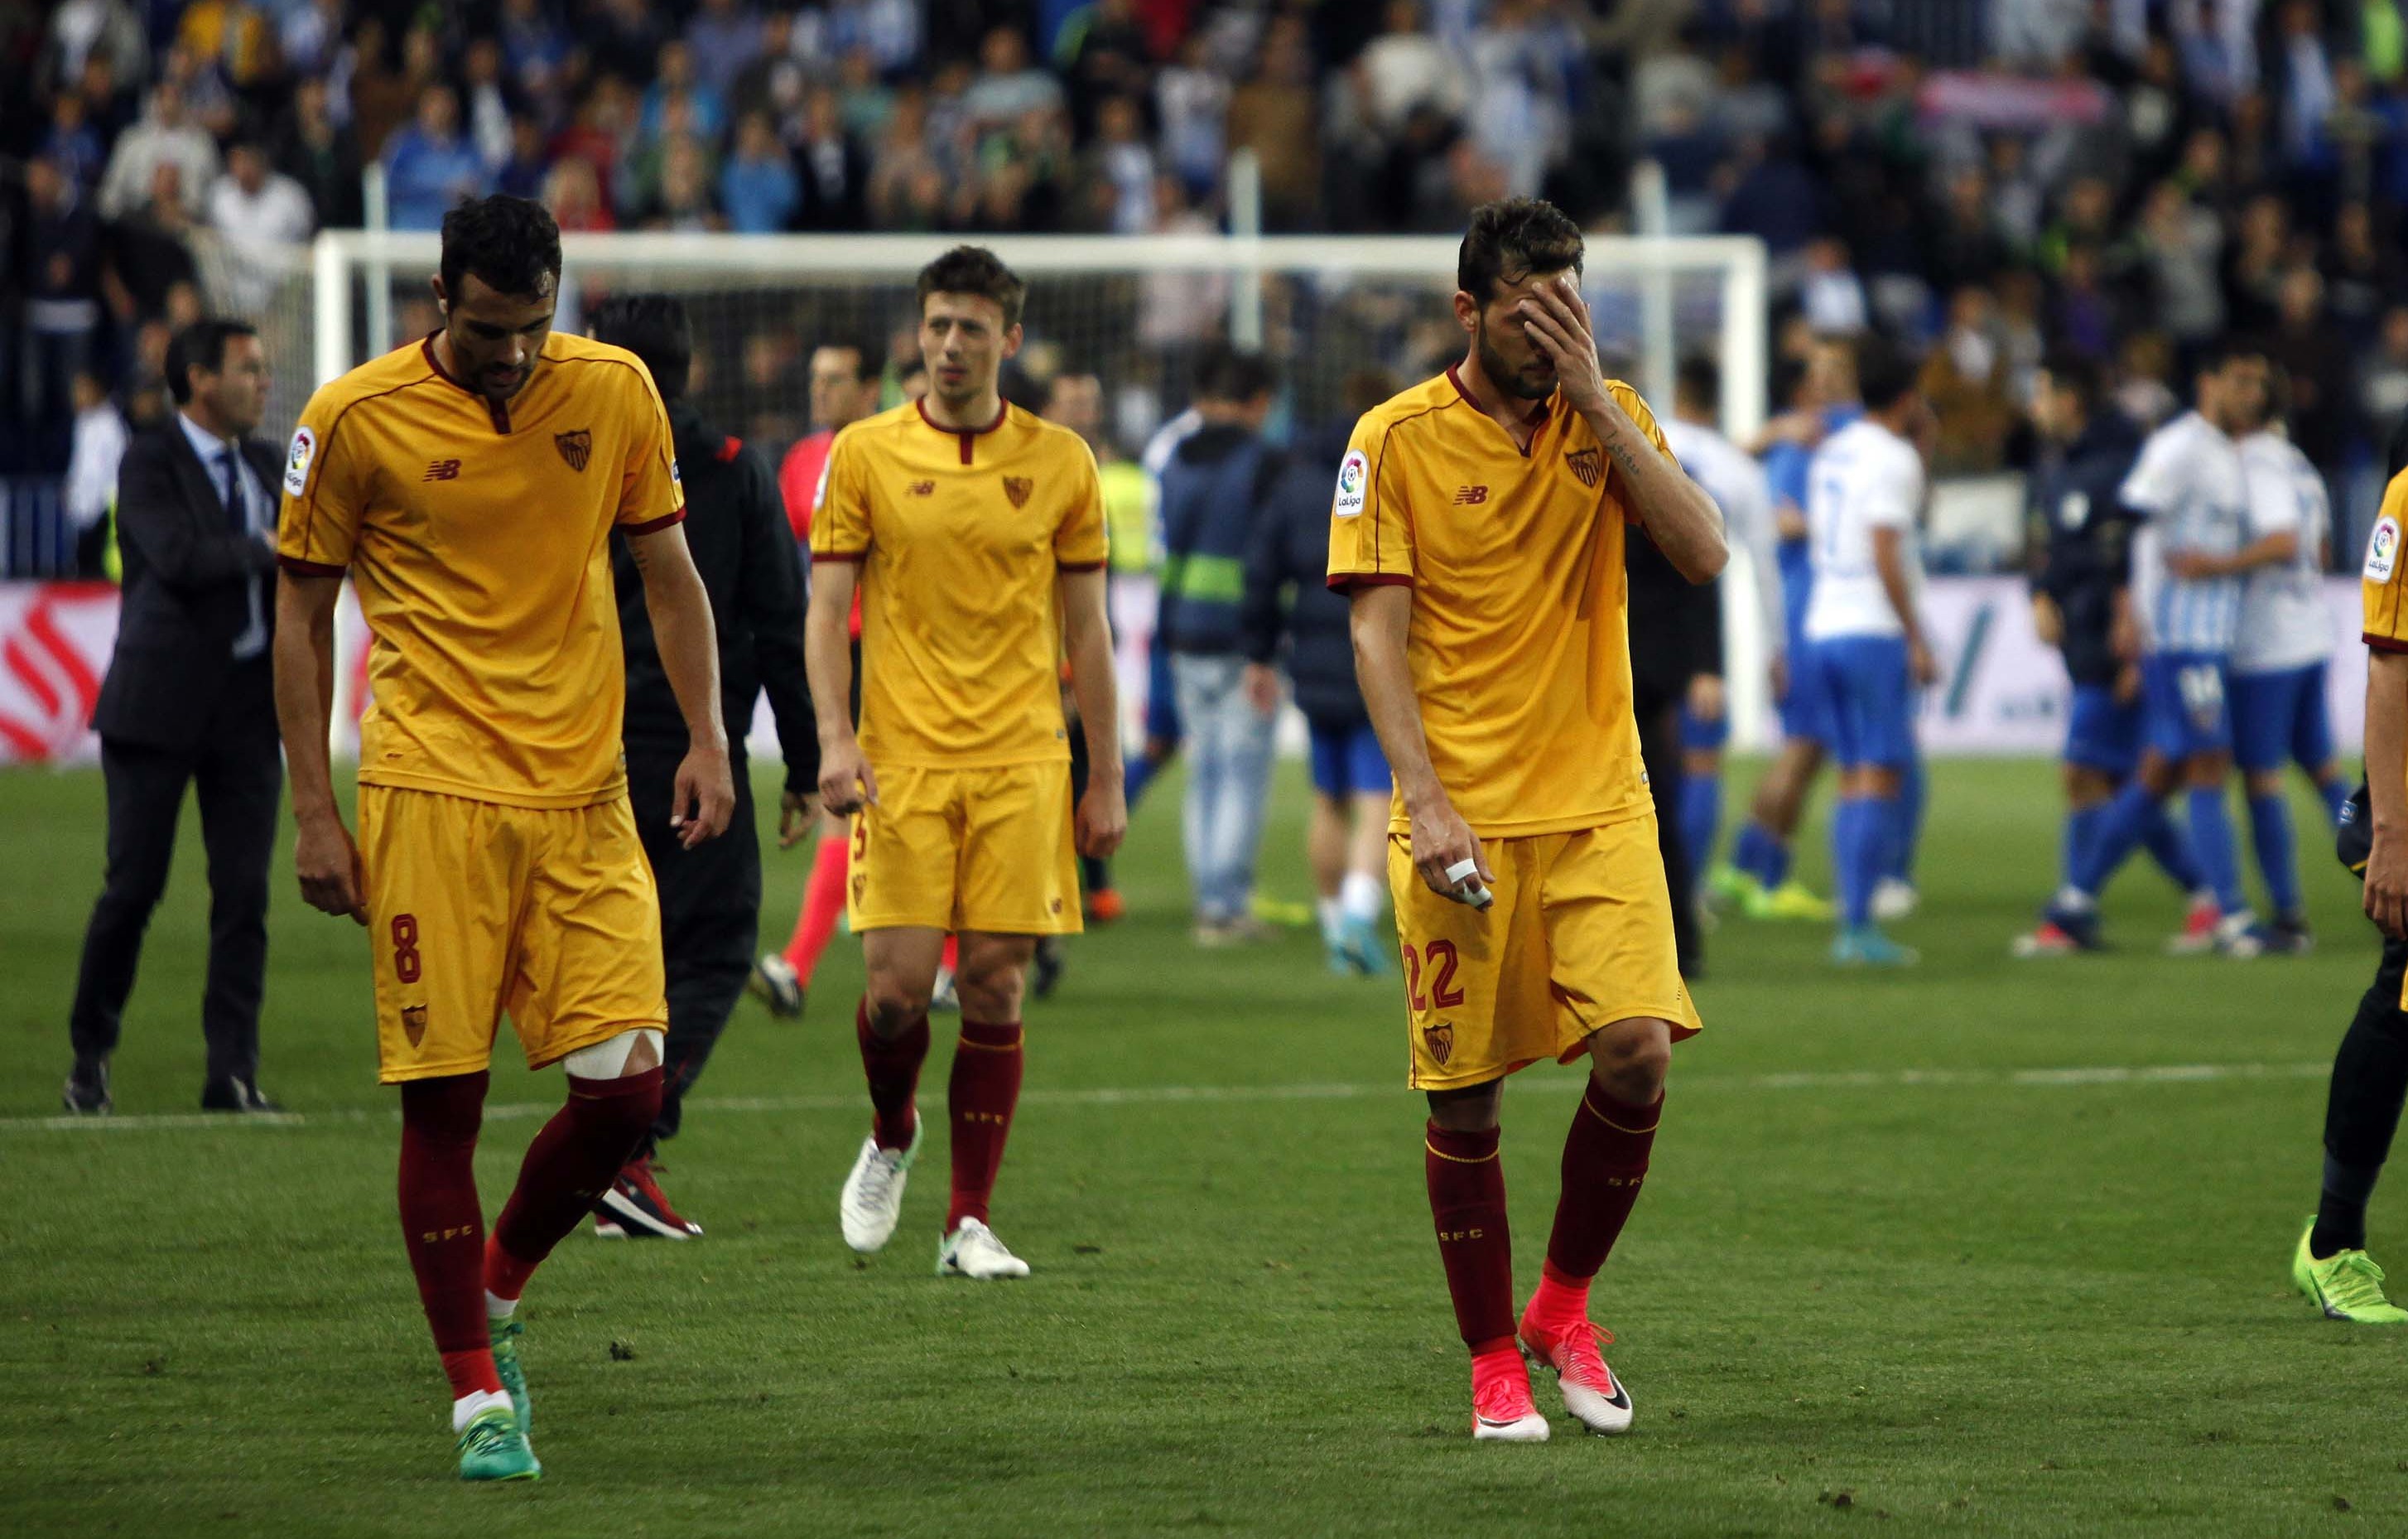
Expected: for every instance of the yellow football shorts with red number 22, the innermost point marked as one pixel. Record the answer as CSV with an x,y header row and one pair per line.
x,y
1578,938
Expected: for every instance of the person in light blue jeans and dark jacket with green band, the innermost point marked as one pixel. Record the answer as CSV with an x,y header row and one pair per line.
x,y
1212,490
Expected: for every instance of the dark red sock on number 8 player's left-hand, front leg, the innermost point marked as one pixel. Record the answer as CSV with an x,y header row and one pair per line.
x,y
442,1222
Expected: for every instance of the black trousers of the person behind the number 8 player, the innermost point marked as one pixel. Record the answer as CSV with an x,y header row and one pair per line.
x,y
709,921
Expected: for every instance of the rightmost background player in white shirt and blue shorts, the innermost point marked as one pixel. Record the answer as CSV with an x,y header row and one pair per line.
x,y
2279,664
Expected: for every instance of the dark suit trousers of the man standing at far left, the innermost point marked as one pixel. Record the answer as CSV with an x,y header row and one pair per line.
x,y
237,772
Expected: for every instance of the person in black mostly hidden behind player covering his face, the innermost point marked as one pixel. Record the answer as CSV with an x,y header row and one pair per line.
x,y
1675,637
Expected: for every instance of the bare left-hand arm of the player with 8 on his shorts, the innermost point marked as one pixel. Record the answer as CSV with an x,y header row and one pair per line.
x,y
326,861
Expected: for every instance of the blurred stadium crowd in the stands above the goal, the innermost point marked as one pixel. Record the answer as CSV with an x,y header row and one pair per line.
x,y
1976,177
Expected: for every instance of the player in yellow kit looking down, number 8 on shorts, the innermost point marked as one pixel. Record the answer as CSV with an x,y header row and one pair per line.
x,y
471,485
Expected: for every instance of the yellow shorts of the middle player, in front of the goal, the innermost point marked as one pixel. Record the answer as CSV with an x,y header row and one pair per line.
x,y
972,849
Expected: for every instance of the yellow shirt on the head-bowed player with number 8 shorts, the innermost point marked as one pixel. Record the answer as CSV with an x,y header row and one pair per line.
x,y
480,548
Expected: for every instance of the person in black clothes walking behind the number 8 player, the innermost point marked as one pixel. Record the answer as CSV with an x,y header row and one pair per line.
x,y
709,895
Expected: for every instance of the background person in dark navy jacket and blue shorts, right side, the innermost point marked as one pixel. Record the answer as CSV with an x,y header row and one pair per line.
x,y
2082,541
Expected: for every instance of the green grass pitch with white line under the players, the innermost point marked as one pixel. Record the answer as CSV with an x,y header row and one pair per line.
x,y
1959,1251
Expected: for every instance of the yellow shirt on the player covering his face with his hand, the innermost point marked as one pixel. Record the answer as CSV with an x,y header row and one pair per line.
x,y
1521,642
